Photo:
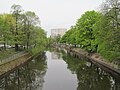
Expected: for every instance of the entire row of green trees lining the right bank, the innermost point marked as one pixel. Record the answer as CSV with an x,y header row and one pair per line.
x,y
98,31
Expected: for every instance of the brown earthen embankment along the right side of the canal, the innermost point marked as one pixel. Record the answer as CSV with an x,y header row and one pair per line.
x,y
95,58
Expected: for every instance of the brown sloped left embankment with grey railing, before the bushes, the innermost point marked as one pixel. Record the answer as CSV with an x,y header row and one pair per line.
x,y
13,62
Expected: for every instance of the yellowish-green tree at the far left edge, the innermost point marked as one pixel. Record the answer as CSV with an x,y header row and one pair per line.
x,y
7,27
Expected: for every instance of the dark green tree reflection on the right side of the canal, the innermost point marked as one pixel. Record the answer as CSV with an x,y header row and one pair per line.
x,y
89,76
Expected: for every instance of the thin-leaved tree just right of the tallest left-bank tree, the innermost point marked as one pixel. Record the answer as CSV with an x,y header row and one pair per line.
x,y
31,21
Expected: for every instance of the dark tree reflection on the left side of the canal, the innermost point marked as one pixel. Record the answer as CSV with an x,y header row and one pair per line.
x,y
28,77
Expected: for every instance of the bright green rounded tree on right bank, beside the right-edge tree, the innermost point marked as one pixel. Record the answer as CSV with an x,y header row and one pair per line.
x,y
85,27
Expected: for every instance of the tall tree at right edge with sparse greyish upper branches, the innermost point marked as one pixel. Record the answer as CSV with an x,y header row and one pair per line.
x,y
107,30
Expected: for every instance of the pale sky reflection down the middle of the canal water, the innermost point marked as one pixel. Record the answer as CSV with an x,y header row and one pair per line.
x,y
58,77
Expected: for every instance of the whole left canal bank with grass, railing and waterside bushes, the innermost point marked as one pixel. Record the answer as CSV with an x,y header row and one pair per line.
x,y
10,61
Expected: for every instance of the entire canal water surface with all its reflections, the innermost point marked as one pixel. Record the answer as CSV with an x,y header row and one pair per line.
x,y
58,70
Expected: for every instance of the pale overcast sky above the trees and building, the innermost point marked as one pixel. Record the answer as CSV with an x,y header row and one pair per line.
x,y
54,13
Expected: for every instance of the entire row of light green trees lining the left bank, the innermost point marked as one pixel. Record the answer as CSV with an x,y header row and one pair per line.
x,y
21,30
